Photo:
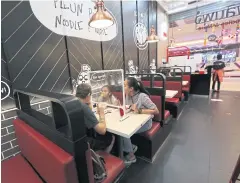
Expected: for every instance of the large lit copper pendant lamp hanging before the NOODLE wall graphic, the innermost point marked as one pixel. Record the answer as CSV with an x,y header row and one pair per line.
x,y
101,19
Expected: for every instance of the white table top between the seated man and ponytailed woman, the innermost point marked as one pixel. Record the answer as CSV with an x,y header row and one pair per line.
x,y
127,127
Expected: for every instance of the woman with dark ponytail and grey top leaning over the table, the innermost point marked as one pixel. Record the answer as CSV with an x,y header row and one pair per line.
x,y
138,98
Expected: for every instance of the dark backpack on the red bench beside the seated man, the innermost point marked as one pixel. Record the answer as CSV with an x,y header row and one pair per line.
x,y
99,170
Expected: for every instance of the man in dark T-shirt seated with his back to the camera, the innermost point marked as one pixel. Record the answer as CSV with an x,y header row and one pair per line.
x,y
103,142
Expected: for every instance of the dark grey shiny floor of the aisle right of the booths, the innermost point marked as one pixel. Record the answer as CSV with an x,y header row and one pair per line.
x,y
203,147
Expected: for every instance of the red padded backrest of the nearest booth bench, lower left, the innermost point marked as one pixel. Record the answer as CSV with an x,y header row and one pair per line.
x,y
53,164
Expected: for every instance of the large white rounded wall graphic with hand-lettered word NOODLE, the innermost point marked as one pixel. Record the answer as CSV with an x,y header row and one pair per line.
x,y
71,18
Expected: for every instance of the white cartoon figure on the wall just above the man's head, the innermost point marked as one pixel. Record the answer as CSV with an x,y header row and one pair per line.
x,y
82,76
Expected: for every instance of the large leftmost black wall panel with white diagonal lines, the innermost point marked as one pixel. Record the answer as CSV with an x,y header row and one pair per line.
x,y
36,56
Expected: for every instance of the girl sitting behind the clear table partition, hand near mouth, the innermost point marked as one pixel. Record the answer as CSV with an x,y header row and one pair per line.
x,y
107,96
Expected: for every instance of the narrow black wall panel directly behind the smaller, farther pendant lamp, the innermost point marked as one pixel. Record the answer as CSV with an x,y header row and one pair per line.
x,y
153,21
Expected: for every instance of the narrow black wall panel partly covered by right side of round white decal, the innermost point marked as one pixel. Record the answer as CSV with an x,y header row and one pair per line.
x,y
143,18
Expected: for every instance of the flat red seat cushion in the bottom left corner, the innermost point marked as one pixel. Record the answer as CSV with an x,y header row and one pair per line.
x,y
18,170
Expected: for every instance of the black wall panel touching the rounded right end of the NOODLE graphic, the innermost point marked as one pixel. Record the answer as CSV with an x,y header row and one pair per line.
x,y
113,50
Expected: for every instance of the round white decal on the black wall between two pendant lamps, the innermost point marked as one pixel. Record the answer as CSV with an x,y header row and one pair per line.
x,y
140,34
